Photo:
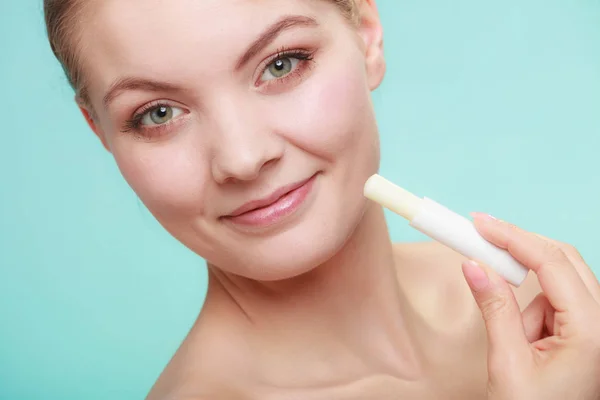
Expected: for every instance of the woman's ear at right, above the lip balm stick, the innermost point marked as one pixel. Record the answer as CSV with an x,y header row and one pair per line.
x,y
371,31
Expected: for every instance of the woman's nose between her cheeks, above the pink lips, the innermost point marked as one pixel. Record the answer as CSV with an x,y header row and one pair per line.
x,y
244,145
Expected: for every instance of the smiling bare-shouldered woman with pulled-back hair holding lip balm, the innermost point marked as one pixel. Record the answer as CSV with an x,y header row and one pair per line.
x,y
247,129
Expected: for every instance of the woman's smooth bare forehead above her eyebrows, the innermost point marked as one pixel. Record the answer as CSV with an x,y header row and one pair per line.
x,y
121,36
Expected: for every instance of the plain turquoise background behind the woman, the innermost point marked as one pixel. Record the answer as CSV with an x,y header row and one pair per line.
x,y
489,106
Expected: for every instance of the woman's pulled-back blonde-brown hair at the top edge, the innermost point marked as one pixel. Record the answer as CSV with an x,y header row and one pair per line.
x,y
61,17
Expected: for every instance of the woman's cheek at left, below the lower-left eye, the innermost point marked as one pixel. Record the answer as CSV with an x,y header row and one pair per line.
x,y
169,177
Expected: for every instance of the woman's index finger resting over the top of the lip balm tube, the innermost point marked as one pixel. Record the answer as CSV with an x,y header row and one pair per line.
x,y
557,276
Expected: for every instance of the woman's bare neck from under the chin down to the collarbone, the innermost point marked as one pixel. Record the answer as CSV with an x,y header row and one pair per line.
x,y
350,309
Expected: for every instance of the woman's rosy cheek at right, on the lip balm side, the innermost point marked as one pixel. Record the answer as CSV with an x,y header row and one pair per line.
x,y
328,114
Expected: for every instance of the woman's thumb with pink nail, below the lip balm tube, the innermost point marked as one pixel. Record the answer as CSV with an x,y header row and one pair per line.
x,y
507,342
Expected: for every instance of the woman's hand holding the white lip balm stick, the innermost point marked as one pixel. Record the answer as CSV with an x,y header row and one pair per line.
x,y
551,351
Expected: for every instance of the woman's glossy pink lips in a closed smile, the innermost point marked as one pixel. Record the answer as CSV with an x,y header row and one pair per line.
x,y
282,203
